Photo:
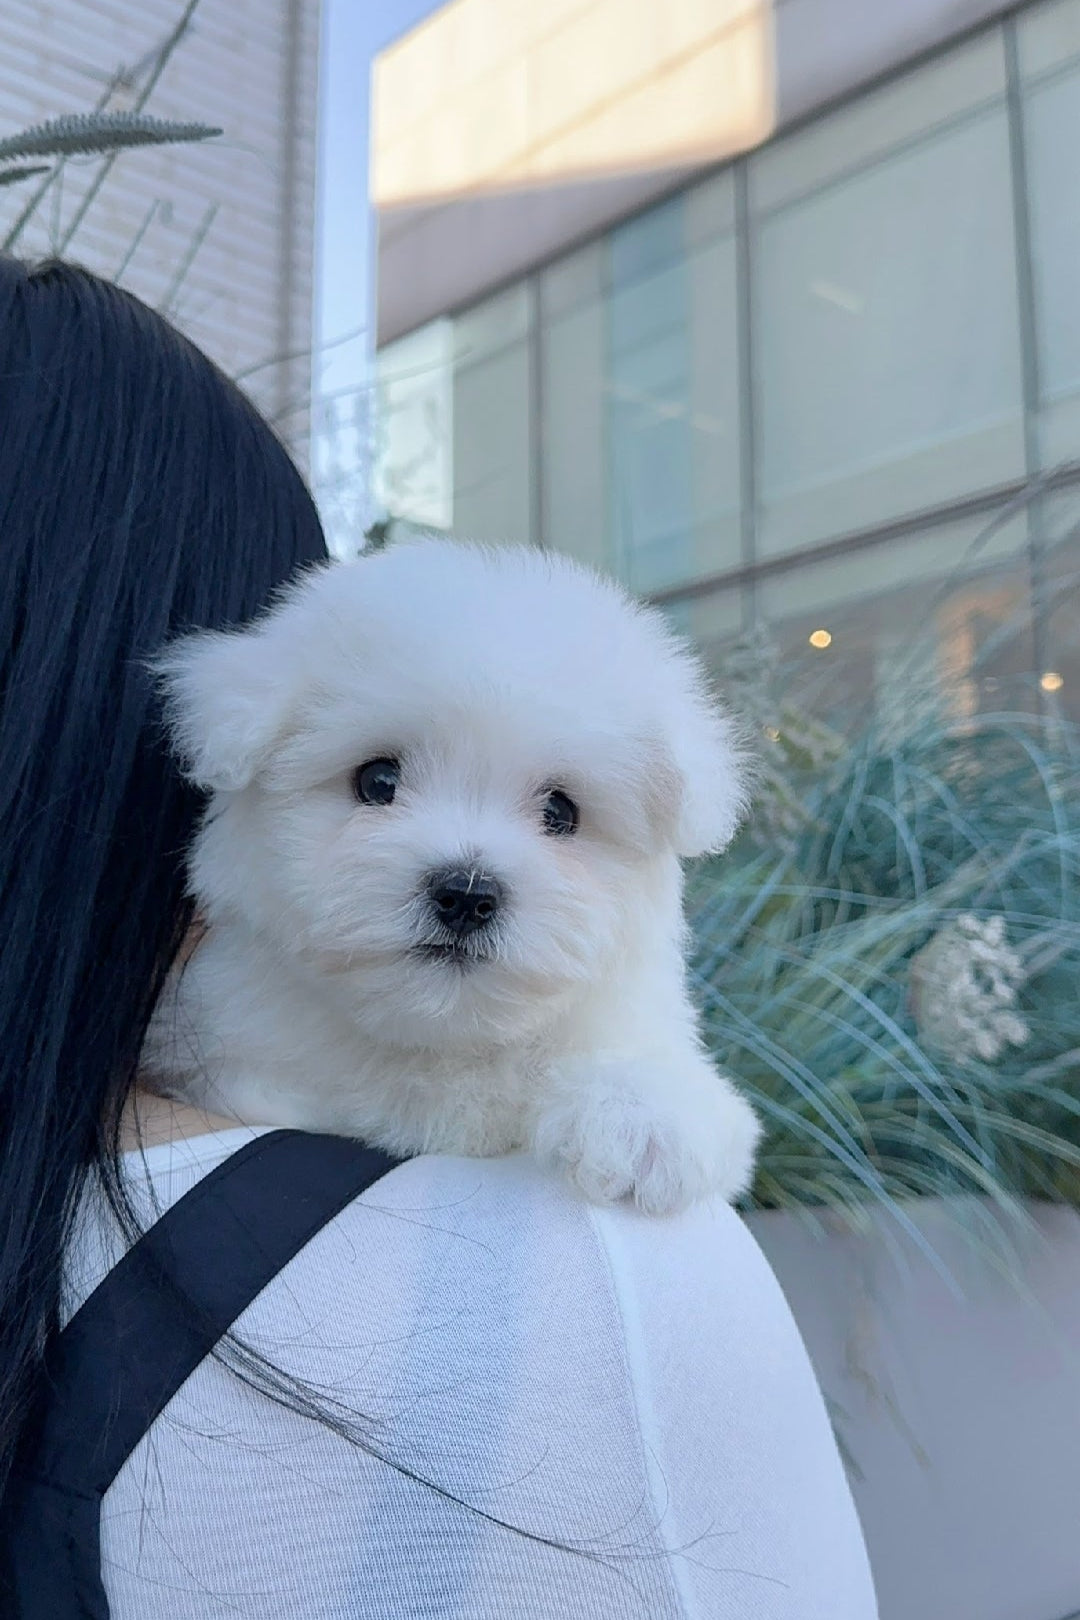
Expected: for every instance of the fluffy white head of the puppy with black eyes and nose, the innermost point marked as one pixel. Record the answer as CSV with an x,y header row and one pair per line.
x,y
453,782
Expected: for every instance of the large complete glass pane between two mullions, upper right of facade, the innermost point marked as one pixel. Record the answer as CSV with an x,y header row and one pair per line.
x,y
887,339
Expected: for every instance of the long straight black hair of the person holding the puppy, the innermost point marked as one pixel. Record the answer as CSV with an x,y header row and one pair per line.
x,y
140,495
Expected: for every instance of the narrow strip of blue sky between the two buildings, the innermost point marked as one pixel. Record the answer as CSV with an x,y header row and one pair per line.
x,y
354,32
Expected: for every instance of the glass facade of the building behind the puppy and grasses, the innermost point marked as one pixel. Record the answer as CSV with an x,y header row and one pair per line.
x,y
835,386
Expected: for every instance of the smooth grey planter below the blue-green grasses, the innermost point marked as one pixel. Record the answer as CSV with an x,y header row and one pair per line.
x,y
958,1400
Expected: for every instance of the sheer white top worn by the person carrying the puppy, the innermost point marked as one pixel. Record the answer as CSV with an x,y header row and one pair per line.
x,y
631,1388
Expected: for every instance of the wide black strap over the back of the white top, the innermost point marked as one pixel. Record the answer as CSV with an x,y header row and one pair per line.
x,y
143,1331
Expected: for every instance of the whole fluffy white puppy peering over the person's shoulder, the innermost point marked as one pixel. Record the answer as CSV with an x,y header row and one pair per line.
x,y
441,872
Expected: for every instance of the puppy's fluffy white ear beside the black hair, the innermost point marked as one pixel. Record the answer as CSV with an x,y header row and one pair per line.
x,y
227,702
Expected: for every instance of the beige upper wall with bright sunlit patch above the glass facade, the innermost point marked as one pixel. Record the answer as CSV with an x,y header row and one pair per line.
x,y
503,135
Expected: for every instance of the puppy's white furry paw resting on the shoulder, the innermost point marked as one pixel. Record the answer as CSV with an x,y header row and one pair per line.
x,y
624,1130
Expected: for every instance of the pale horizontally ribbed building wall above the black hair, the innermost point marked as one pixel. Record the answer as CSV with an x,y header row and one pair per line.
x,y
249,67
